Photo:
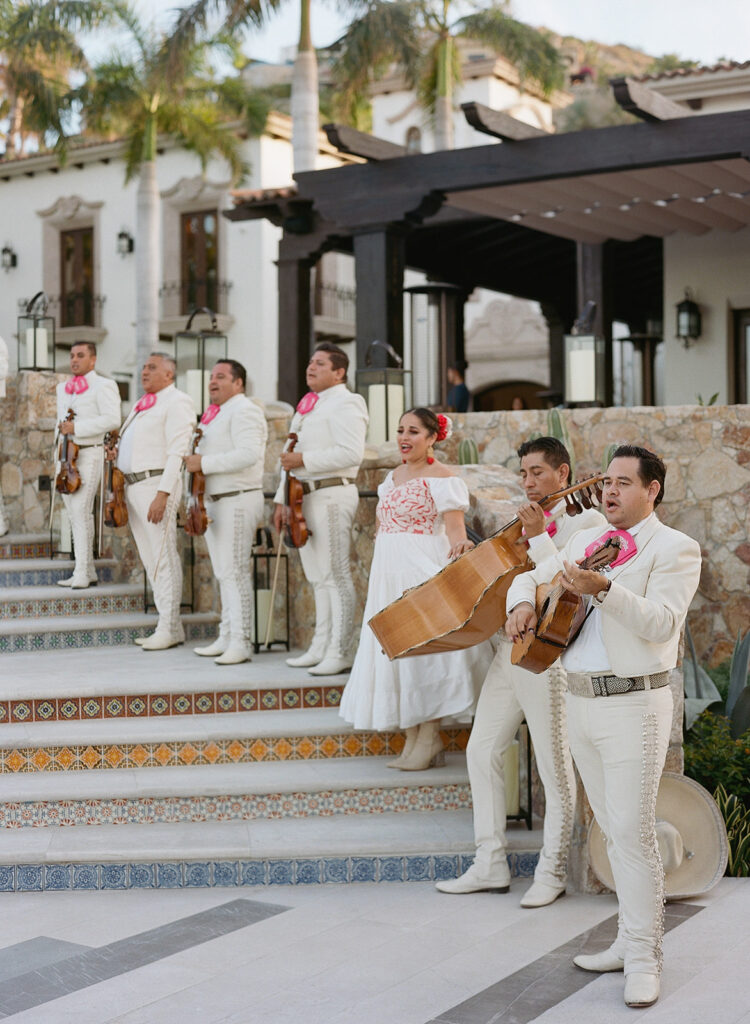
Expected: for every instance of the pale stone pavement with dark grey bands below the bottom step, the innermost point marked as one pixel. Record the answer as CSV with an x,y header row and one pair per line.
x,y
355,955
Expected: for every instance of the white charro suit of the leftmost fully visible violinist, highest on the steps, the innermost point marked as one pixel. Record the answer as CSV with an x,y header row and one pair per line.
x,y
98,411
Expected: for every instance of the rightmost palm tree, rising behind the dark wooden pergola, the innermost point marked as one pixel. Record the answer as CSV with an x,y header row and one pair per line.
x,y
421,36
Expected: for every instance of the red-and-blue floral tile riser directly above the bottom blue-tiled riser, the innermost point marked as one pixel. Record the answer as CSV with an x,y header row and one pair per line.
x,y
166,810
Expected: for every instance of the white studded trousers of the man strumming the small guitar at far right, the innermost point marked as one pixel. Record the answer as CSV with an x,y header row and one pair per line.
x,y
619,745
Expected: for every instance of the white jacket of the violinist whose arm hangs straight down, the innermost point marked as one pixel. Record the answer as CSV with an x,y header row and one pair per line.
x,y
161,436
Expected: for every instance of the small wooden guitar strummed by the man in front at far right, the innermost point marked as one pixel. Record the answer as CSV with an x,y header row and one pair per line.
x,y
561,616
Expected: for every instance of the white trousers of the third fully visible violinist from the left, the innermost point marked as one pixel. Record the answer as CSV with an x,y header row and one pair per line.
x,y
230,539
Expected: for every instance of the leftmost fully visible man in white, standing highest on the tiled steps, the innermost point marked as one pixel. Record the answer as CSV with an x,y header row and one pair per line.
x,y
96,404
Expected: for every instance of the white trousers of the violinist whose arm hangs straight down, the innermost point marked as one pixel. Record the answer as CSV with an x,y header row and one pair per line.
x,y
158,541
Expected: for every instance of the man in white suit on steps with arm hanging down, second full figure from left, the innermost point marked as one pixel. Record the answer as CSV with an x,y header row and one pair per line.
x,y
153,443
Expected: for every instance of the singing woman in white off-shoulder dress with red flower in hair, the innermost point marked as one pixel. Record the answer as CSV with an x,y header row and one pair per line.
x,y
421,528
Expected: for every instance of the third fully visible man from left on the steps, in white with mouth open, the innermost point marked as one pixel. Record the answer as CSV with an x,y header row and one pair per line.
x,y
231,455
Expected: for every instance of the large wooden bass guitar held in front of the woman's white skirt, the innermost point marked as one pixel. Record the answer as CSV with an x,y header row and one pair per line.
x,y
465,604
